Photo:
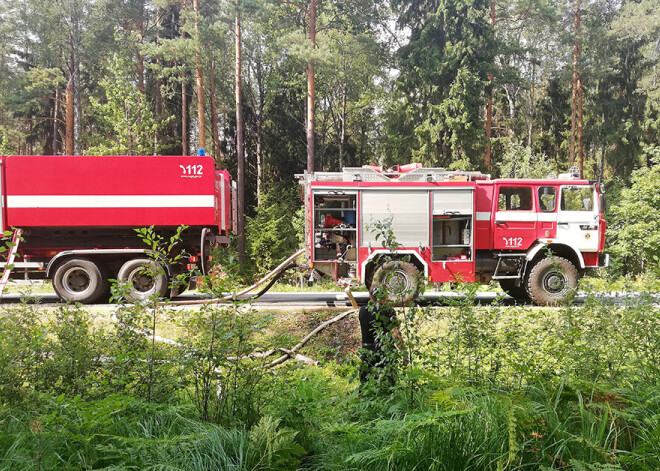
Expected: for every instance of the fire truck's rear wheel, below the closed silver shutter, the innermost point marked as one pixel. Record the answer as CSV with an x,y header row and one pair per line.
x,y
396,282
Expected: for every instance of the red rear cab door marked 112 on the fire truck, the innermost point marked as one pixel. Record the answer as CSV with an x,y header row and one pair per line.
x,y
515,219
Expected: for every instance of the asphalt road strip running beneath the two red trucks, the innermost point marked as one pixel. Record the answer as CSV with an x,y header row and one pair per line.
x,y
329,299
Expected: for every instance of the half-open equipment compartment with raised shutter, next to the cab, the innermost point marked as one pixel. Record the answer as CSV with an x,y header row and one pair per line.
x,y
452,216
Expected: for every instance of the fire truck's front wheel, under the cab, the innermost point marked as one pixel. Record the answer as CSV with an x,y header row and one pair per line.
x,y
551,281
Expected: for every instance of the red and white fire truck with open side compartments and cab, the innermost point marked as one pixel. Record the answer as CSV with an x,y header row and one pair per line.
x,y
535,237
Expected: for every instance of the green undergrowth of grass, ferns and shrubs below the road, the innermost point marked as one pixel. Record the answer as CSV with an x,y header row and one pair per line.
x,y
477,387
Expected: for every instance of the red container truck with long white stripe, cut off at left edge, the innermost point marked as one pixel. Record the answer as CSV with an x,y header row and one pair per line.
x,y
77,217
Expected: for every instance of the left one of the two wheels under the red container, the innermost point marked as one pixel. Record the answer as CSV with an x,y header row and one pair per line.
x,y
79,280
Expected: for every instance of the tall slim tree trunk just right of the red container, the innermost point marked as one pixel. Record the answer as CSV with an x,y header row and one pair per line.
x,y
240,152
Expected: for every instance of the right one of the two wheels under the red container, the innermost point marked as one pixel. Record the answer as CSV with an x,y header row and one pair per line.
x,y
145,277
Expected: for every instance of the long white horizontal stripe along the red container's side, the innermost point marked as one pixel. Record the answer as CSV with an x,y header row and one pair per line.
x,y
110,201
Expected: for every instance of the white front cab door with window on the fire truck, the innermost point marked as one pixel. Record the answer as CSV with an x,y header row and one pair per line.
x,y
578,217
